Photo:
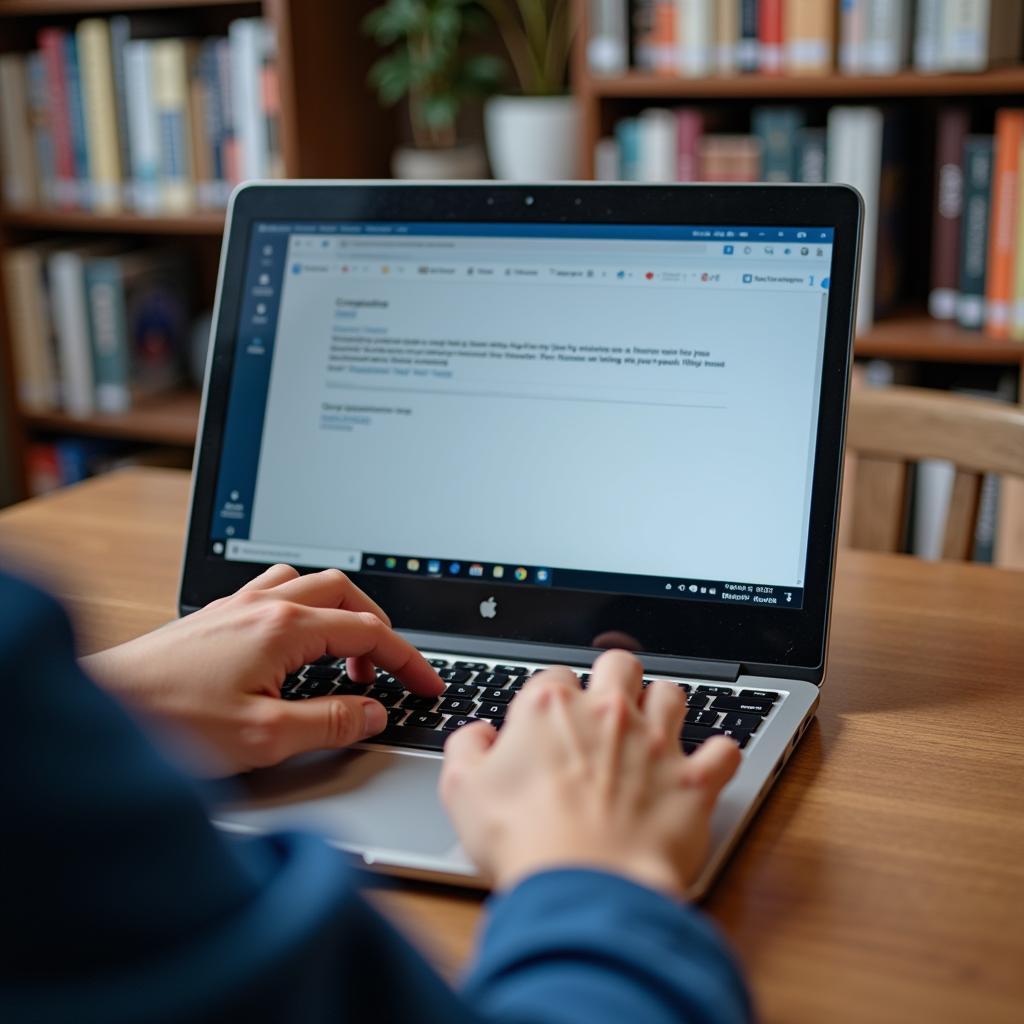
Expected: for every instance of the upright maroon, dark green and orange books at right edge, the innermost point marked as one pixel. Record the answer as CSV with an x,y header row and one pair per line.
x,y
978,233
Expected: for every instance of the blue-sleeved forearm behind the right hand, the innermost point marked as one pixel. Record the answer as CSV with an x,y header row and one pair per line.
x,y
583,947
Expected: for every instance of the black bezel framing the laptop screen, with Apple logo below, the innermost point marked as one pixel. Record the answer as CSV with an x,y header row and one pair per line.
x,y
774,638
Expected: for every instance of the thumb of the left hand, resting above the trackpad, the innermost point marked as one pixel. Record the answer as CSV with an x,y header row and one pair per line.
x,y
327,723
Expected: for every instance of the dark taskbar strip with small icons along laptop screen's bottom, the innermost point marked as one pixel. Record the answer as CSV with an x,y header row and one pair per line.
x,y
719,591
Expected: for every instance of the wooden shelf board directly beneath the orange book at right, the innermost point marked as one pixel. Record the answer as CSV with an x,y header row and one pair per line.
x,y
935,342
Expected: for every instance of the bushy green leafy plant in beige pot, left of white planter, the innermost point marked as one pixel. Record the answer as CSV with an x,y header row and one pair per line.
x,y
428,64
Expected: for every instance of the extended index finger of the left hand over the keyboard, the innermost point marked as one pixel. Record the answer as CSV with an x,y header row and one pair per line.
x,y
363,634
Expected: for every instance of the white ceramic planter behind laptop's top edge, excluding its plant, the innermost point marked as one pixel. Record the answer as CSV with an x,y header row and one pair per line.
x,y
533,139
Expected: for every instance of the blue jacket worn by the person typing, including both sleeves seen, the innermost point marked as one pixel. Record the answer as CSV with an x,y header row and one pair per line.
x,y
120,903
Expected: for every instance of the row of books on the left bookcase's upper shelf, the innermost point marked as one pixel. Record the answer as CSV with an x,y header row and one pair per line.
x,y
119,115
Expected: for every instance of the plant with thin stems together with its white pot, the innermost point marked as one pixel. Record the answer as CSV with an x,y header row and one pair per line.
x,y
535,137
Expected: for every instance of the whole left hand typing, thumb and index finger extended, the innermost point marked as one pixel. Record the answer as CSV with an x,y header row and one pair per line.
x,y
219,672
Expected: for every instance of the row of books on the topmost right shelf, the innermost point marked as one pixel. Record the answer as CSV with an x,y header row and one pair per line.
x,y
801,37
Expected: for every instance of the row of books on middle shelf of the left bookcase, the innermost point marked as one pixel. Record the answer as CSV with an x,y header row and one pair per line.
x,y
95,327
